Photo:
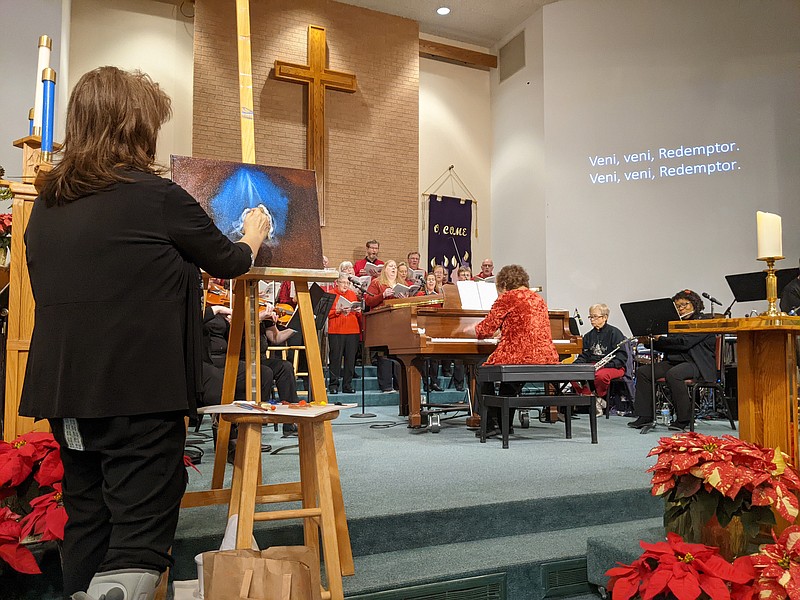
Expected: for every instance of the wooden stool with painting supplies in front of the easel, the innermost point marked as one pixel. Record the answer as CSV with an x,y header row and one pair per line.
x,y
317,510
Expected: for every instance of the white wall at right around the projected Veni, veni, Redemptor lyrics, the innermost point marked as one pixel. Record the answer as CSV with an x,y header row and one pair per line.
x,y
629,75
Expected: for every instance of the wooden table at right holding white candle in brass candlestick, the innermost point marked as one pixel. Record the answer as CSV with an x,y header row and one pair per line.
x,y
767,376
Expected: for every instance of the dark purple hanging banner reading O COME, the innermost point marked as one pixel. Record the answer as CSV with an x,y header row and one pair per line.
x,y
449,232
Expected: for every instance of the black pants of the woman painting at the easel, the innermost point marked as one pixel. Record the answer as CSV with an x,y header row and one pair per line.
x,y
122,494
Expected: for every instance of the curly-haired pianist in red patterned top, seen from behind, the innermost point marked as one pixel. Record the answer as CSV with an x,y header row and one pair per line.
x,y
520,316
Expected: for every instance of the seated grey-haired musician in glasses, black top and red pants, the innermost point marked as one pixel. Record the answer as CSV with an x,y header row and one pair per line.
x,y
602,342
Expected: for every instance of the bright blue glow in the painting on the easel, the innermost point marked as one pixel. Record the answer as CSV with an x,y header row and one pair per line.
x,y
248,188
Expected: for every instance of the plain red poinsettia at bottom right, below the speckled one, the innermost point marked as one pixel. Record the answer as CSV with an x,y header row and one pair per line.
x,y
680,569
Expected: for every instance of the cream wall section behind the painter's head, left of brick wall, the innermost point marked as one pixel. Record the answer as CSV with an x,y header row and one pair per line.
x,y
153,37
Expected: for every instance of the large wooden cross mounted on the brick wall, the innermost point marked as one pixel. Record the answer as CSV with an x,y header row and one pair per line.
x,y
318,78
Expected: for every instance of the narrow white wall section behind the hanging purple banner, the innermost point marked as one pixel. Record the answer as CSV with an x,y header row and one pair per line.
x,y
455,129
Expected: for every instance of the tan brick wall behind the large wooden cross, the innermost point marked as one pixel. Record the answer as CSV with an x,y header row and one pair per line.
x,y
373,135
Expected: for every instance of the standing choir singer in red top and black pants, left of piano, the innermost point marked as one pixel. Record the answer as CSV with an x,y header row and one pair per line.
x,y
344,330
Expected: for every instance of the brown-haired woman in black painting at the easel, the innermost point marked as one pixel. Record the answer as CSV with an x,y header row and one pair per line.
x,y
115,360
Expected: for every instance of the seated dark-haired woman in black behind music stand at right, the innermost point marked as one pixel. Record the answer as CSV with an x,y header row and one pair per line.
x,y
687,356
